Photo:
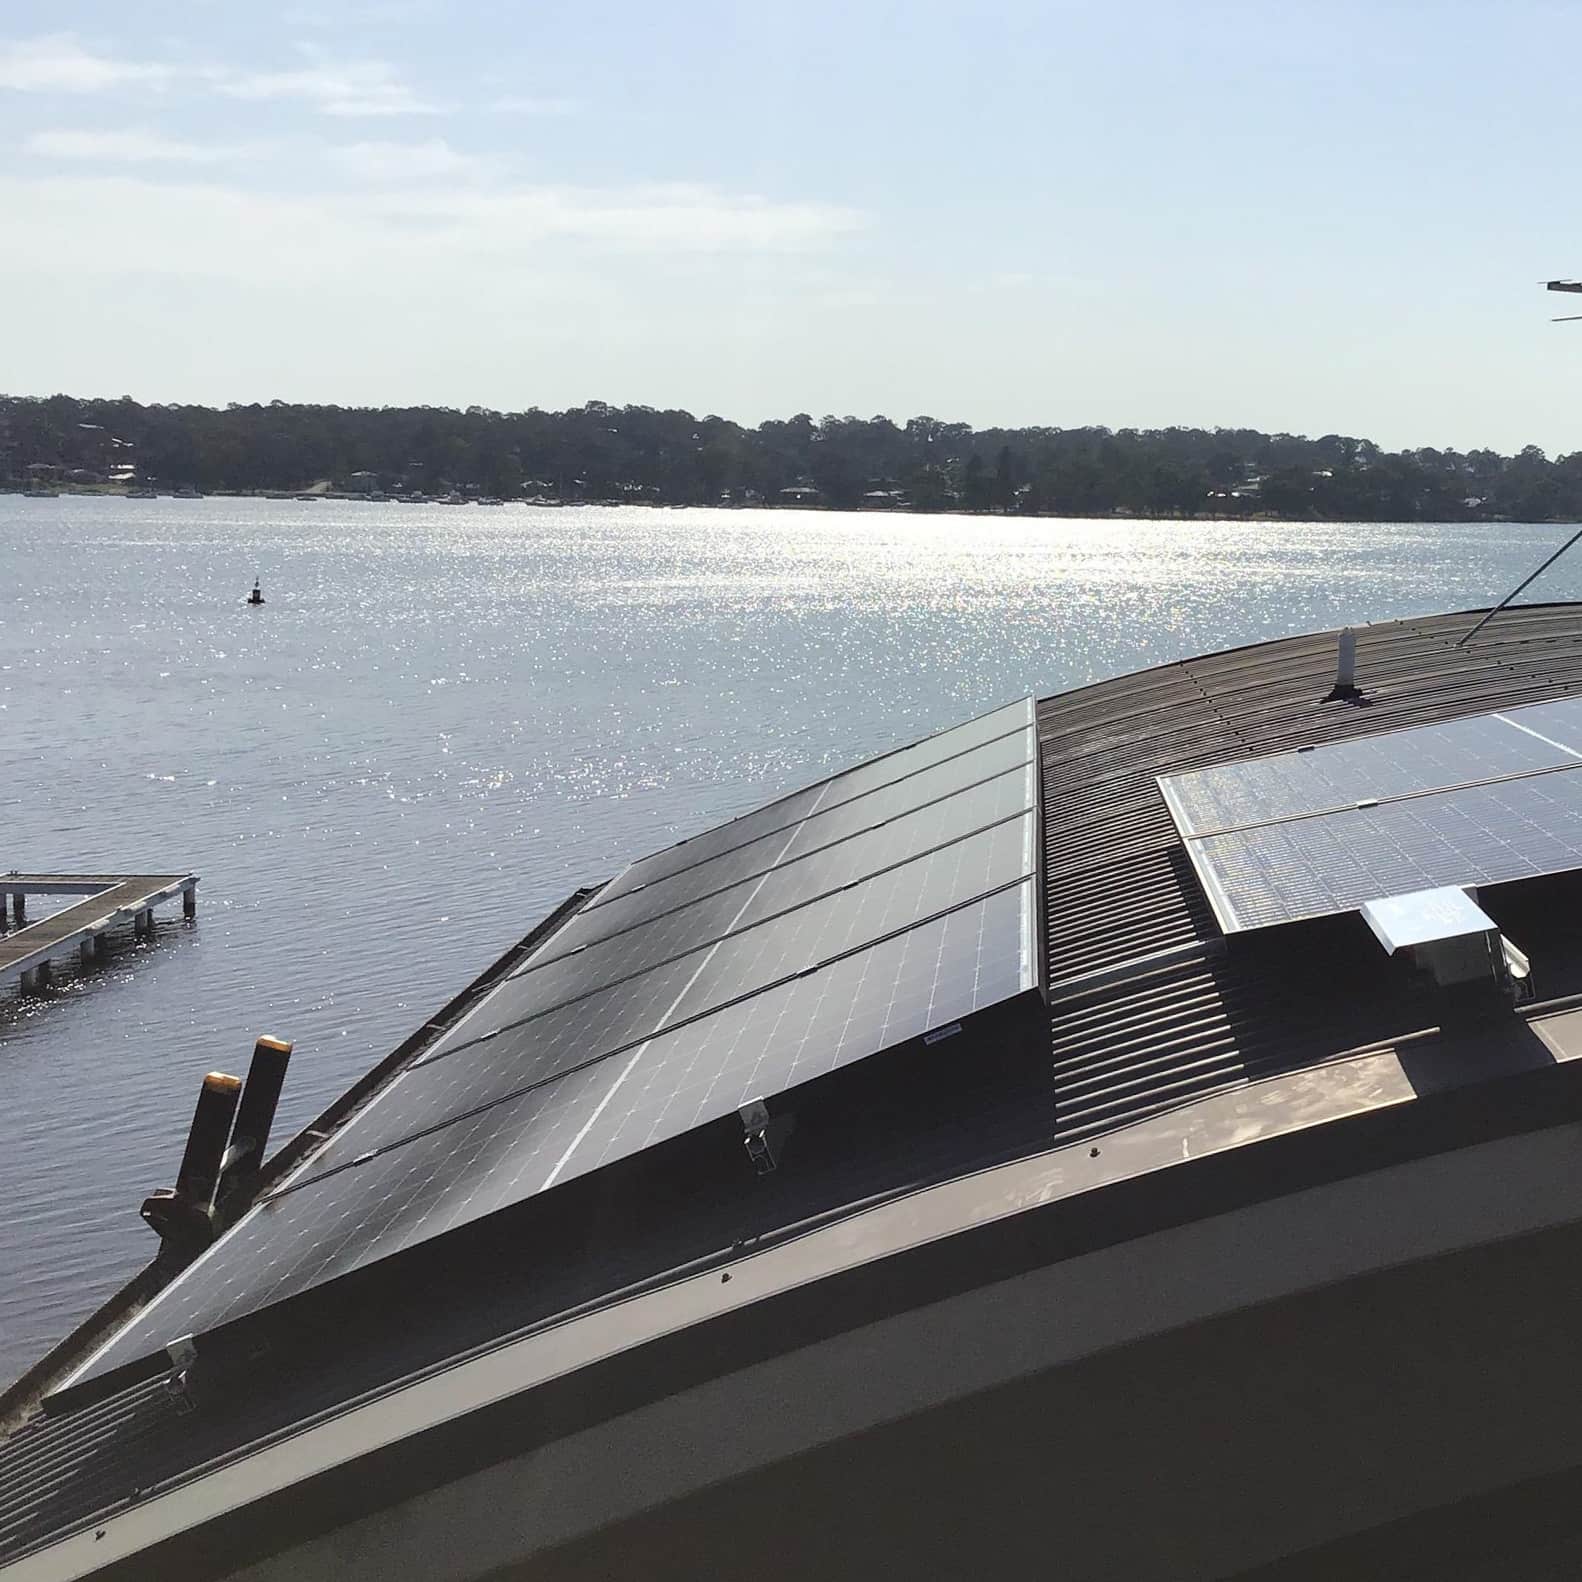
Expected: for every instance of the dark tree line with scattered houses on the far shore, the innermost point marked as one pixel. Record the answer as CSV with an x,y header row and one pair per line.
x,y
602,453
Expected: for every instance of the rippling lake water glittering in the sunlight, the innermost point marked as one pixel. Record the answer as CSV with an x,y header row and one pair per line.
x,y
447,719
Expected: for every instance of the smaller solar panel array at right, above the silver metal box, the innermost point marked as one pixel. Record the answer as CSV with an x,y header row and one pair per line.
x,y
1325,830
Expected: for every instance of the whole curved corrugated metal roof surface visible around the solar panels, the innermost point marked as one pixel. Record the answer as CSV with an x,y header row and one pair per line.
x,y
1151,1009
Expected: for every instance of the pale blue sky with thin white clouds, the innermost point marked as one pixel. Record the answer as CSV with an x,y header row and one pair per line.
x,y
1289,216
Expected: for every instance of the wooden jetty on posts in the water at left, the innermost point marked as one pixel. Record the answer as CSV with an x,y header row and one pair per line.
x,y
29,952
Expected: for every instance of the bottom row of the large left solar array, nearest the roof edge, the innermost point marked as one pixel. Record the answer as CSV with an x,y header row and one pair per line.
x,y
898,990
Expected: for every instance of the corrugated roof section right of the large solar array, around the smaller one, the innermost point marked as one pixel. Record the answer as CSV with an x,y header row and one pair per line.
x,y
1130,1037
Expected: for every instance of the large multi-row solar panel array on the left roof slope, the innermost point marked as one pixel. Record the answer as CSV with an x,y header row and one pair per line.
x,y
814,933
